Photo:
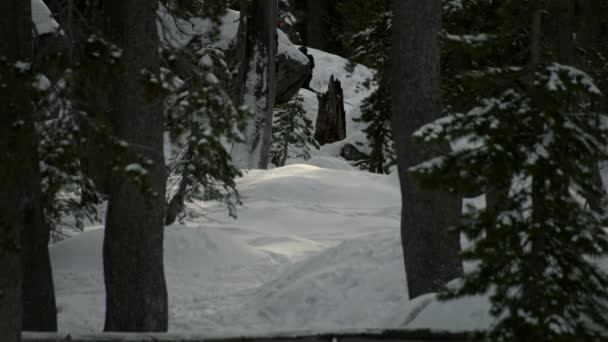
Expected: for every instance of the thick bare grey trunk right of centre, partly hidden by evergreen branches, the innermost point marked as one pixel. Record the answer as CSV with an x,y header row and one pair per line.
x,y
431,253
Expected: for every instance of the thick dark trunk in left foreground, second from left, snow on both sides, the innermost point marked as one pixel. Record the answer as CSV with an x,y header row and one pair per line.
x,y
136,293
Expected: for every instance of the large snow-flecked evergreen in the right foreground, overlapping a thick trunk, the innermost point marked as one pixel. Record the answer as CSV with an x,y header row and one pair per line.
x,y
525,123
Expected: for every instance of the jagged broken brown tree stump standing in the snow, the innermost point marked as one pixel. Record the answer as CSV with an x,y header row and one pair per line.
x,y
331,118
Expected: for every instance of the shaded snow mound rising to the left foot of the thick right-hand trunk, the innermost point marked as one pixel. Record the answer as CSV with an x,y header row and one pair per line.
x,y
358,284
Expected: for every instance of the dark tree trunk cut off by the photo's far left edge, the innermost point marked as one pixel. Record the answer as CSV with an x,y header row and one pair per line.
x,y
18,158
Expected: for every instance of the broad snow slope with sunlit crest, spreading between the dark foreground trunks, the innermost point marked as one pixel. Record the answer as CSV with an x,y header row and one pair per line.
x,y
308,249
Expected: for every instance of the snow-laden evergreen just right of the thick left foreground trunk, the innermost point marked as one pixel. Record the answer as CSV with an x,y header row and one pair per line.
x,y
202,121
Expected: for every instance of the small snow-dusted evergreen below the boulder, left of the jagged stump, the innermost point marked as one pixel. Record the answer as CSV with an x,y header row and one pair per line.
x,y
292,132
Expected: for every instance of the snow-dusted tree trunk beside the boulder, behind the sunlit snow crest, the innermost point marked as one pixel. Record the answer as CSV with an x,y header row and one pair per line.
x,y
255,85
